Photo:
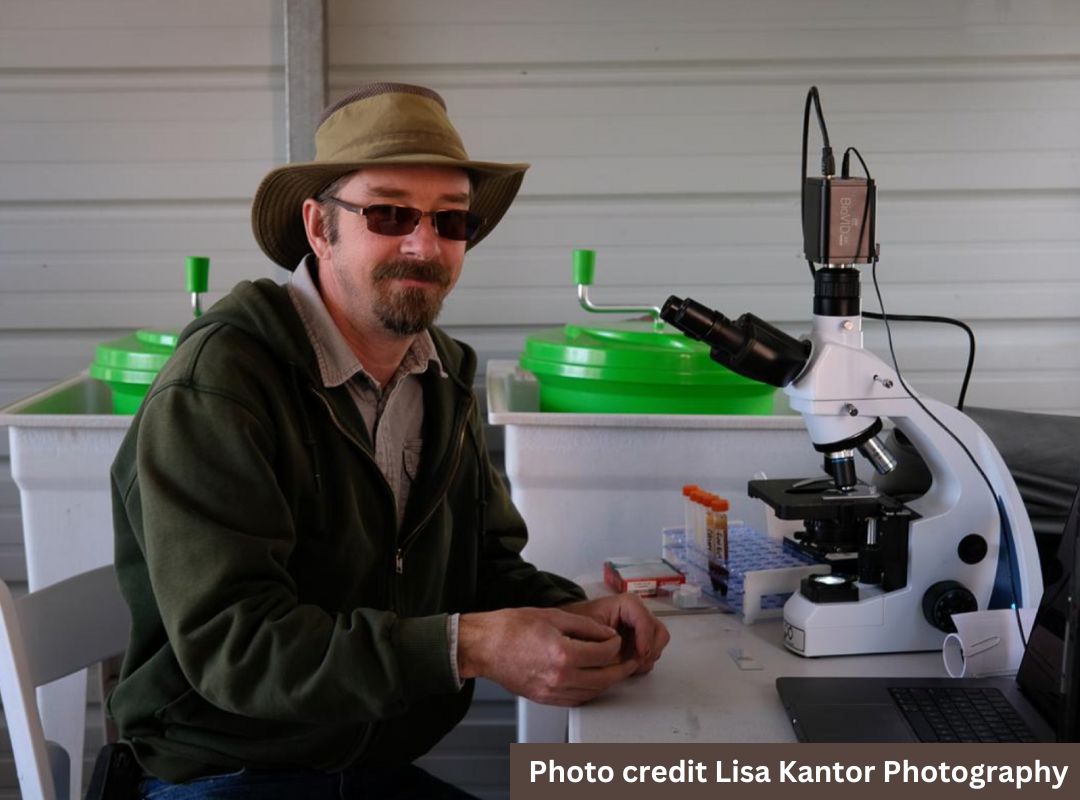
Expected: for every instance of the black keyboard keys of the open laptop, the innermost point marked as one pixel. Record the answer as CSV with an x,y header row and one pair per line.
x,y
962,715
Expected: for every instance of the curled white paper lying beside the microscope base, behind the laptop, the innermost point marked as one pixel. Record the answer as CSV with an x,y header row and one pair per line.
x,y
987,644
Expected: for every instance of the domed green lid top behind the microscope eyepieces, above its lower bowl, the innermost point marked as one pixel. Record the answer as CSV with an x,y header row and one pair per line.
x,y
637,352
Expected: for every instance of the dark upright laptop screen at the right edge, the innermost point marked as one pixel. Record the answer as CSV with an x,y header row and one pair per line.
x,y
1048,674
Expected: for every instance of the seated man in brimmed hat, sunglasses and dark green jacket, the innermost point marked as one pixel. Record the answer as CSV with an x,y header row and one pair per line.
x,y
318,554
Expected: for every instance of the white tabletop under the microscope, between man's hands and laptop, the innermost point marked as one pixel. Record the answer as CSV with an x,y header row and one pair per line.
x,y
715,683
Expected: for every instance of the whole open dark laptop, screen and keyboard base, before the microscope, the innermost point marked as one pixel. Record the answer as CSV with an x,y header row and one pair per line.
x,y
1041,704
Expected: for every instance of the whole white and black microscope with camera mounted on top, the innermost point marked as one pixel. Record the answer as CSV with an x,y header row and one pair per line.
x,y
901,568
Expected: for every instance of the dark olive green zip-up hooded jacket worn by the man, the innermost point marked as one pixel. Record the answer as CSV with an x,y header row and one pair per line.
x,y
281,617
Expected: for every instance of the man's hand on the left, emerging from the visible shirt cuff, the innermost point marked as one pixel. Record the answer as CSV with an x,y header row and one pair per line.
x,y
548,656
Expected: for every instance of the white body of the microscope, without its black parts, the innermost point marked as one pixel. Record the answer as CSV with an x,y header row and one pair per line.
x,y
841,392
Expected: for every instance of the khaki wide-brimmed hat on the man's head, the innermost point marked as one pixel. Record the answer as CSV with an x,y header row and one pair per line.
x,y
380,125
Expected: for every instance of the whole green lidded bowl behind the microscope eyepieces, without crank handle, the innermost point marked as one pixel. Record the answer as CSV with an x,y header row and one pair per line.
x,y
634,368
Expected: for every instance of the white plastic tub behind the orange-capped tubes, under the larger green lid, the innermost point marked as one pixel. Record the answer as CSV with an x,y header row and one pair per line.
x,y
592,486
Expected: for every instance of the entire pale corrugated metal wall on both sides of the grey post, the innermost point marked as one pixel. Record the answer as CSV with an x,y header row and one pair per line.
x,y
665,135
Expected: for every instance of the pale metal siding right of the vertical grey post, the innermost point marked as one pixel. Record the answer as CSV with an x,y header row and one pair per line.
x,y
667,137
